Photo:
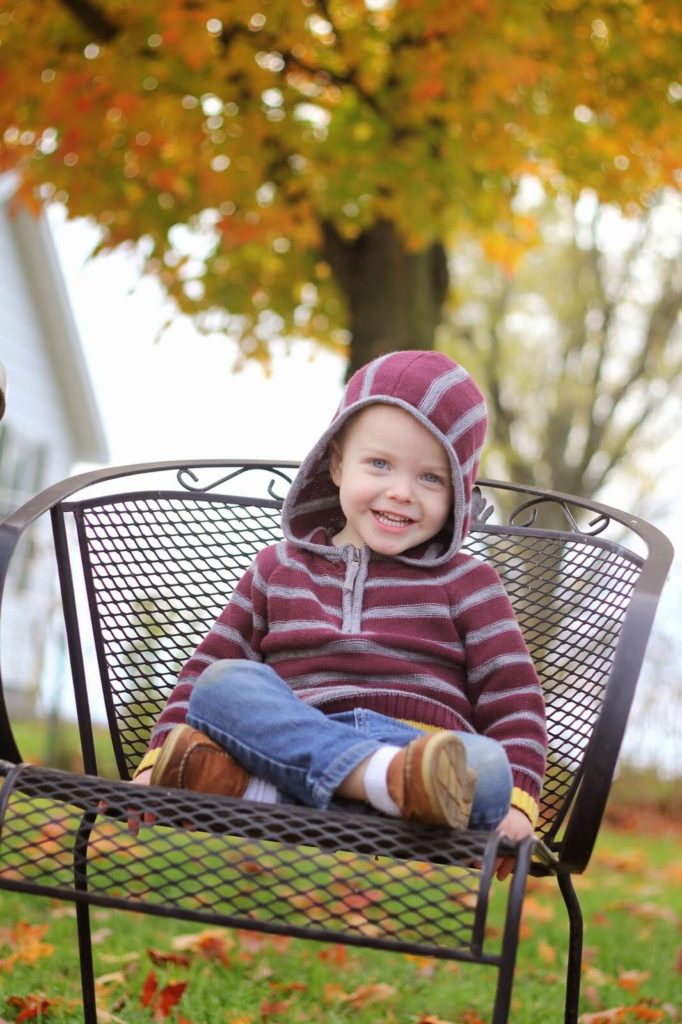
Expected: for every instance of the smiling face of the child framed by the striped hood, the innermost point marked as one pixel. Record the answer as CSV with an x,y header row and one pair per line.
x,y
394,479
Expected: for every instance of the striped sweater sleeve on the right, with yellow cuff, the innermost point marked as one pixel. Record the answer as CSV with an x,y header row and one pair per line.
x,y
503,685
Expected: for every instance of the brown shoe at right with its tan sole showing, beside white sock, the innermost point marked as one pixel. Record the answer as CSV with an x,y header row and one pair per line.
x,y
431,782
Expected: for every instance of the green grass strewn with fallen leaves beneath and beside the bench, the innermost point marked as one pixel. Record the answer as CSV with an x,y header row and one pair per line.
x,y
152,969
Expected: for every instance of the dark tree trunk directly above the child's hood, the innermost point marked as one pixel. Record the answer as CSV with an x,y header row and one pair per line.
x,y
395,296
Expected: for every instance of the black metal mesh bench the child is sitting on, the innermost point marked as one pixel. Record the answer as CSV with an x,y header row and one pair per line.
x,y
147,557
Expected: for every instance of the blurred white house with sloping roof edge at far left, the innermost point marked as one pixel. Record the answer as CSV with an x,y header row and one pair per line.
x,y
51,423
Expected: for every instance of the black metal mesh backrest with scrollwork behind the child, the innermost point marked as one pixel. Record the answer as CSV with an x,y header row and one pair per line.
x,y
157,565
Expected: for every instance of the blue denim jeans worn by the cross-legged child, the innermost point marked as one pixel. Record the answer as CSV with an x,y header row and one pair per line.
x,y
253,714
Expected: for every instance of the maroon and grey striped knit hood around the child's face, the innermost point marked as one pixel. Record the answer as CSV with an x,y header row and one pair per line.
x,y
445,399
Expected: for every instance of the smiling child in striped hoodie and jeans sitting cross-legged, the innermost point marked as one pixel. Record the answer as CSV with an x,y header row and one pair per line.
x,y
367,657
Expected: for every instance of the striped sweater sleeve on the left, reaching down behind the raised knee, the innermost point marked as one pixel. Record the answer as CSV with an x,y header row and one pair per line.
x,y
236,634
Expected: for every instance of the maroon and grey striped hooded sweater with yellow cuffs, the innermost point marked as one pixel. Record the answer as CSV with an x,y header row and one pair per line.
x,y
428,636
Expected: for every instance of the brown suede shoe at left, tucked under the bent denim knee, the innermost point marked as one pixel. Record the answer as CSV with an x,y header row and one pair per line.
x,y
189,760
